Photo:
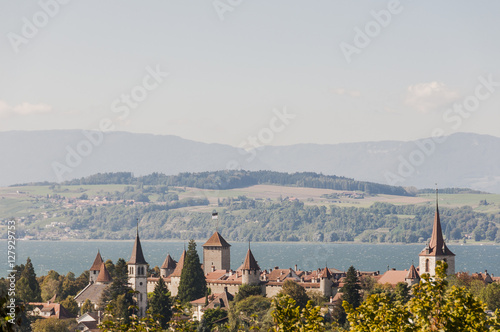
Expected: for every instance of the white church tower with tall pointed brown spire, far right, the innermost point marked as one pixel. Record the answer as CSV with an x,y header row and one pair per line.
x,y
436,250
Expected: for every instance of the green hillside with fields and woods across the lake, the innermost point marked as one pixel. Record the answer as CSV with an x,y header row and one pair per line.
x,y
260,212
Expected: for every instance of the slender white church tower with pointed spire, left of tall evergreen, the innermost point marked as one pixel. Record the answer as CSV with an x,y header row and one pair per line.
x,y
137,275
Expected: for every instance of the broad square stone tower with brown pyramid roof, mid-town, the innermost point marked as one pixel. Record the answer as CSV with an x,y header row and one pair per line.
x,y
216,253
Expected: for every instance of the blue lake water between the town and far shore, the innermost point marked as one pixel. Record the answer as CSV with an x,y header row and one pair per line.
x,y
78,256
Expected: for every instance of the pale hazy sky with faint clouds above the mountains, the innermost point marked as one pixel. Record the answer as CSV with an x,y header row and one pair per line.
x,y
222,71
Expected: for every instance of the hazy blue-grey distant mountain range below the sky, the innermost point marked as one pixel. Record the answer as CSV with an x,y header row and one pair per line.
x,y
462,160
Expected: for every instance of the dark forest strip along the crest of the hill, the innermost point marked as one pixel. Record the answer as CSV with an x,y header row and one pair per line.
x,y
231,179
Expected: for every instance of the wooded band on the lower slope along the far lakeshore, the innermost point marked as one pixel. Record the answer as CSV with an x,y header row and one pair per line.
x,y
244,219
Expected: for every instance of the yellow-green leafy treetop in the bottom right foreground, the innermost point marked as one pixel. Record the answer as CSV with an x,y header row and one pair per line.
x,y
434,307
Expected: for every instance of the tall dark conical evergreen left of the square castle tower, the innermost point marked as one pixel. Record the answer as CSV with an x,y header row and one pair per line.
x,y
193,284
